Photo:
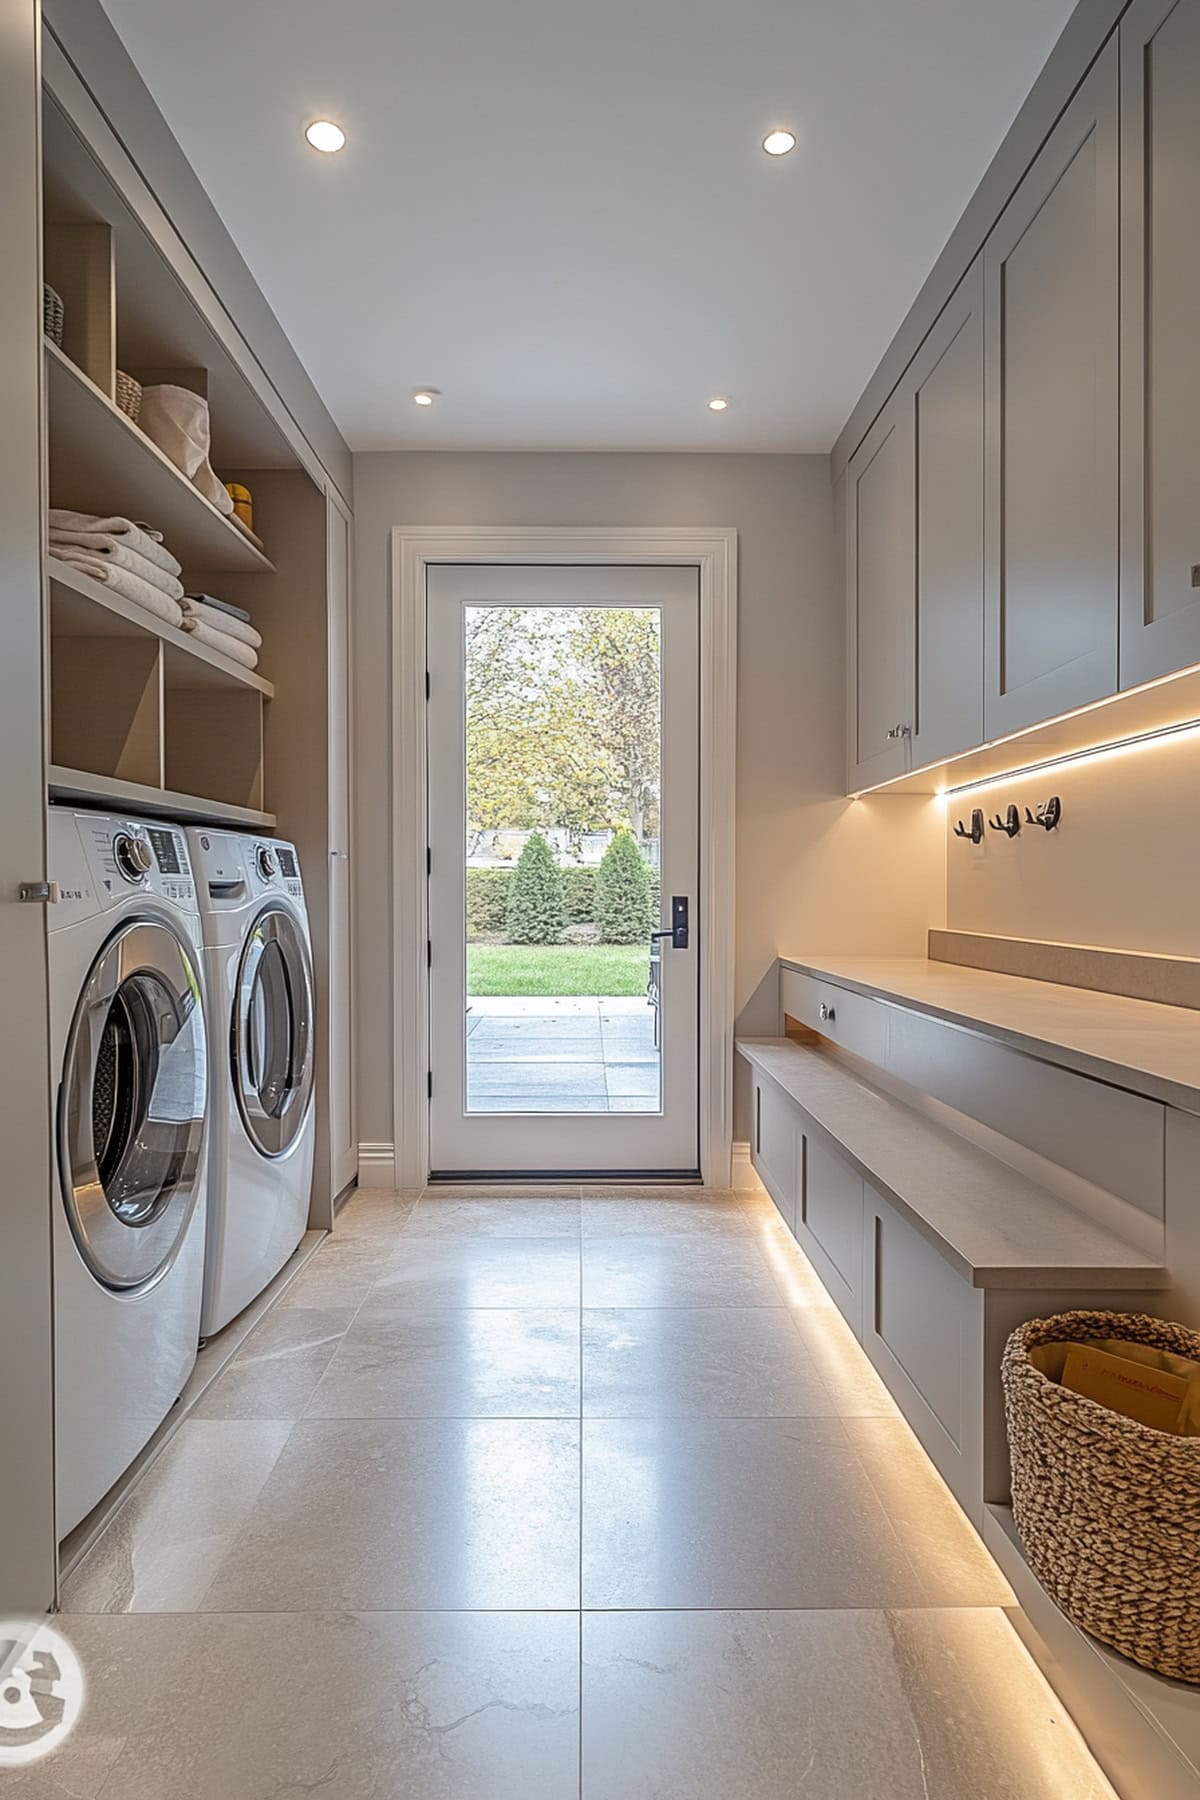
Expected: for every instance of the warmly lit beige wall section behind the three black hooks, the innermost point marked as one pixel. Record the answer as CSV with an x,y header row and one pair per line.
x,y
1122,872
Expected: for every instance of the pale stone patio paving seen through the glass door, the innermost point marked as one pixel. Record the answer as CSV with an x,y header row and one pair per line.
x,y
562,1056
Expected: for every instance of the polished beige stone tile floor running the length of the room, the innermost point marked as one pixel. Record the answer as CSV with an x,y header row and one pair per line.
x,y
551,1497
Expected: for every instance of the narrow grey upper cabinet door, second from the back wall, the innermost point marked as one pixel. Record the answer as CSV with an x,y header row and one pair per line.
x,y
947,397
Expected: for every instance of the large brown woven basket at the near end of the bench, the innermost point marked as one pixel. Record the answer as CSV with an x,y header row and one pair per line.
x,y
1107,1509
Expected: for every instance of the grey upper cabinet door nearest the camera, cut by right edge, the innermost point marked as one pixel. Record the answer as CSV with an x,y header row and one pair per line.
x,y
1160,319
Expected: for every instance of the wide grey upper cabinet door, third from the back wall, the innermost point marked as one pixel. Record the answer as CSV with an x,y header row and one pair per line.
x,y
1052,298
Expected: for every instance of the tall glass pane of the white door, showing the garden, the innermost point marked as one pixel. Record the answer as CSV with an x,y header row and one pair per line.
x,y
564,730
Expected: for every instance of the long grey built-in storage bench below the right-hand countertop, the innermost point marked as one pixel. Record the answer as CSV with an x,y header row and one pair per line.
x,y
931,1246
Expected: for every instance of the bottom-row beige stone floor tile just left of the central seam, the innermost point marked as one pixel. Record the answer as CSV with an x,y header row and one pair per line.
x,y
363,1707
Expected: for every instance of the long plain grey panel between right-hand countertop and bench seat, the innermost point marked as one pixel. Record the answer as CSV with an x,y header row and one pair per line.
x,y
1107,1137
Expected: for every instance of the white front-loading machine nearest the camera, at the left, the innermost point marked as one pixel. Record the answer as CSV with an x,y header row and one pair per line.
x,y
130,1052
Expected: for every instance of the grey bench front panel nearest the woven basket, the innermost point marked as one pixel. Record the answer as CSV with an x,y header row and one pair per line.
x,y
922,1329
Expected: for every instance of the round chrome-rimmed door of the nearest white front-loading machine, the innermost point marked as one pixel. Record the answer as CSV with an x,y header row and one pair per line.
x,y
132,1104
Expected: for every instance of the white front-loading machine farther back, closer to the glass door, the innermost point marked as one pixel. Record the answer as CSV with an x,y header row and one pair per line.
x,y
260,975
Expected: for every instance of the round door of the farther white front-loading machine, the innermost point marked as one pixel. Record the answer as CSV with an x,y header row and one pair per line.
x,y
273,1032
